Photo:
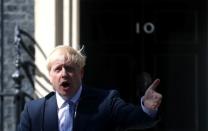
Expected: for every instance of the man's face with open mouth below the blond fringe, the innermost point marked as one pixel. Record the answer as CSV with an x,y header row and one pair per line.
x,y
65,76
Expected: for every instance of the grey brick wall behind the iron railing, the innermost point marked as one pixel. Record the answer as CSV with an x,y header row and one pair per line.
x,y
20,12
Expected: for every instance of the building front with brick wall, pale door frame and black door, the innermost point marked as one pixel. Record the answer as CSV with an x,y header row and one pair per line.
x,y
126,43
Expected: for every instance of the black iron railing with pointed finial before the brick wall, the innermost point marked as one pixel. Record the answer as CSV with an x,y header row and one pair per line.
x,y
18,94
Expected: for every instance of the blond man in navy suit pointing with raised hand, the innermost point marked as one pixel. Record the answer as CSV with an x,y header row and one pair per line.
x,y
92,109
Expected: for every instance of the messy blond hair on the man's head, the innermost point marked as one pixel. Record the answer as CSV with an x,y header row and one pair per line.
x,y
75,56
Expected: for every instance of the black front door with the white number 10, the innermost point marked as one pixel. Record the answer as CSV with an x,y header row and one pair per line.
x,y
125,40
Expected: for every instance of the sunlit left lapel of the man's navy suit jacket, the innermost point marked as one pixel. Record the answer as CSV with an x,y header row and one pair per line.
x,y
51,116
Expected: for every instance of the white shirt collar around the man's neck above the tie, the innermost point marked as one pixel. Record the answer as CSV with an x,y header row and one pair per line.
x,y
60,100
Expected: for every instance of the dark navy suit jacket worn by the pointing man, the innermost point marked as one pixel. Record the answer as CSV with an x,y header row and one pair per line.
x,y
98,110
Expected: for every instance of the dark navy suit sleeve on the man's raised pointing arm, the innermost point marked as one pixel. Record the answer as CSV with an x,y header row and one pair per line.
x,y
127,115
